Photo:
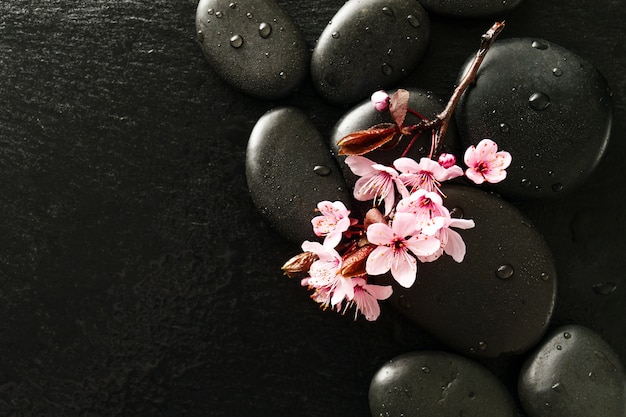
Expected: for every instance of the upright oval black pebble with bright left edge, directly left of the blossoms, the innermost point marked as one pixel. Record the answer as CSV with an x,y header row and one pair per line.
x,y
289,168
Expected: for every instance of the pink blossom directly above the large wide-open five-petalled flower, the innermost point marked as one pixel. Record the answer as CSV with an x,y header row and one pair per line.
x,y
428,209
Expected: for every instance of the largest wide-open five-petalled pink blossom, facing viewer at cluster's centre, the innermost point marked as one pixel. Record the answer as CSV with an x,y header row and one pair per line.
x,y
395,245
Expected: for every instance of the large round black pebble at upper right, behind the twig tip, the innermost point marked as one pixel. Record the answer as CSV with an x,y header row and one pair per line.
x,y
546,106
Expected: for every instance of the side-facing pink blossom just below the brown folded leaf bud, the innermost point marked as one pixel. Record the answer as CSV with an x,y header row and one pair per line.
x,y
377,182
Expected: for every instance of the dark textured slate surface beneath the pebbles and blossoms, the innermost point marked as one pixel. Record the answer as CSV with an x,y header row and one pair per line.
x,y
137,278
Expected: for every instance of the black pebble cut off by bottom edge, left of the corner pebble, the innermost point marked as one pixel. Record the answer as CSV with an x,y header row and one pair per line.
x,y
435,384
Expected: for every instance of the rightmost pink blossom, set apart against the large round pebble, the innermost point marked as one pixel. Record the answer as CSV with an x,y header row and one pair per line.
x,y
485,163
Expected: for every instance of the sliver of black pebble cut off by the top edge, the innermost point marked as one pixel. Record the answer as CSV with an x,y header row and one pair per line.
x,y
470,8
